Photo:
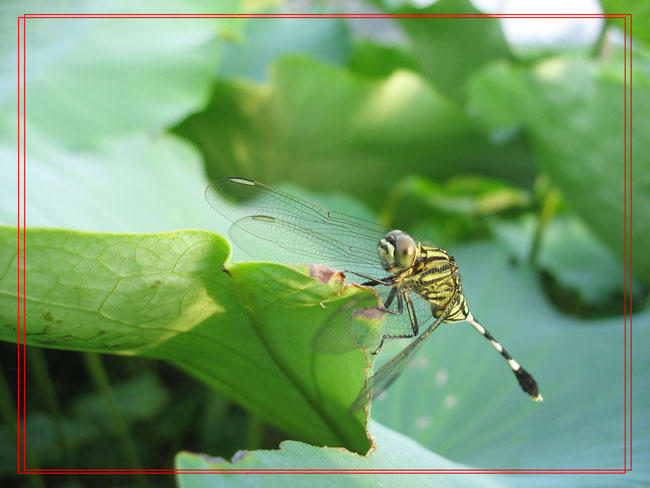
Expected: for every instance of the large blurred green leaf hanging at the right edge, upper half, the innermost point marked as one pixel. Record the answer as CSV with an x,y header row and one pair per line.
x,y
588,167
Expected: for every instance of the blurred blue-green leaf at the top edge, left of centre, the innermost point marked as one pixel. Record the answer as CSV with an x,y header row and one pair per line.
x,y
264,40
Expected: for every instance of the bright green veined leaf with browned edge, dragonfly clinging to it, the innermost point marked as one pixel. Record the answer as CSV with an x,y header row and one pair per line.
x,y
258,332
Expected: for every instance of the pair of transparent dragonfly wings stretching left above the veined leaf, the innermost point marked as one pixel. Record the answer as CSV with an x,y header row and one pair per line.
x,y
275,226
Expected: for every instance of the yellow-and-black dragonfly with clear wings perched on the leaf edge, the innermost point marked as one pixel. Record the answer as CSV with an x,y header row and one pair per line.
x,y
418,284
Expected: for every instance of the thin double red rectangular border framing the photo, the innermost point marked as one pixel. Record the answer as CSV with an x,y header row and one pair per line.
x,y
21,97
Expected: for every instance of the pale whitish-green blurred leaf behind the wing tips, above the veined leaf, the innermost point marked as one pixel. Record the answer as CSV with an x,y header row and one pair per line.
x,y
137,184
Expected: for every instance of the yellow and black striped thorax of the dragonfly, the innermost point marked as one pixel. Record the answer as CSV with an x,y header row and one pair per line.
x,y
434,276
